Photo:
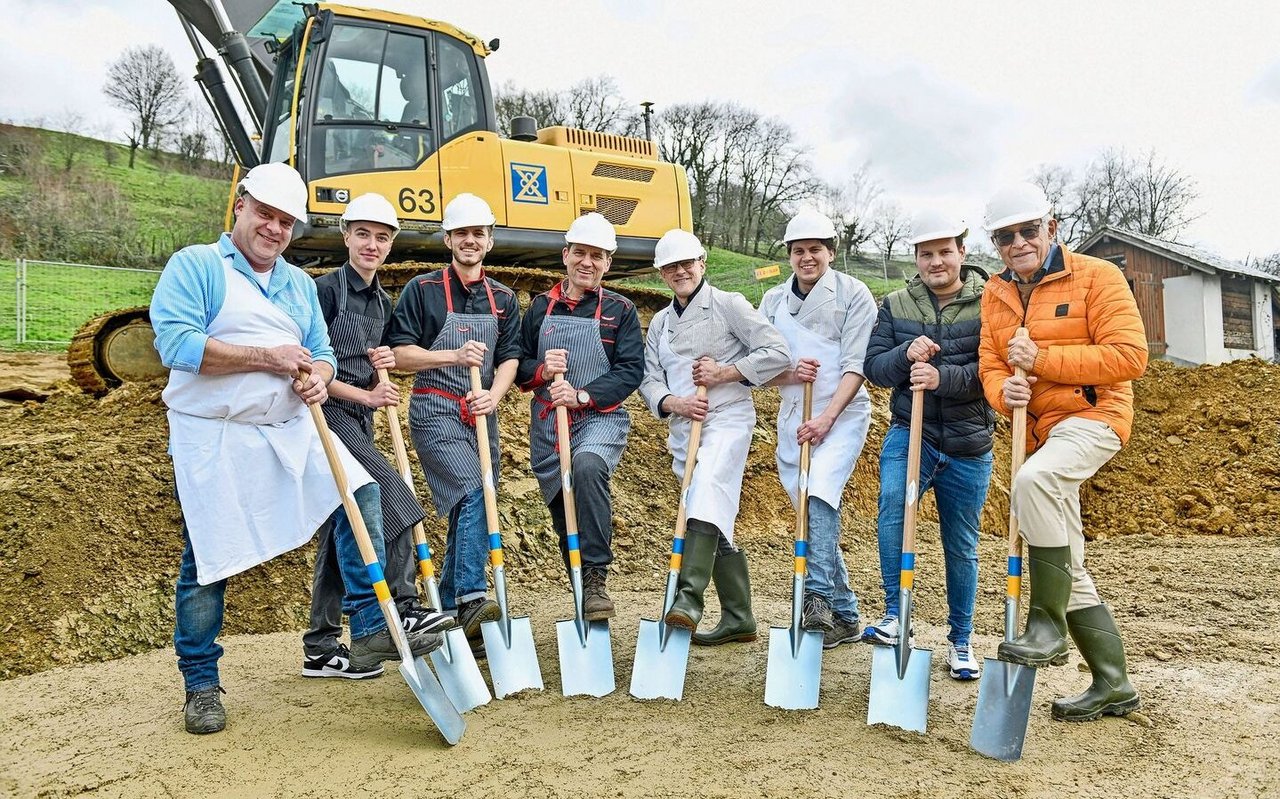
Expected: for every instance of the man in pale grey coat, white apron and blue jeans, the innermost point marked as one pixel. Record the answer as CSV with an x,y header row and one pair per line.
x,y
826,318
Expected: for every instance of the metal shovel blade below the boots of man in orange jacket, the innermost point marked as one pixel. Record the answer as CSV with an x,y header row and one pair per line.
x,y
1004,710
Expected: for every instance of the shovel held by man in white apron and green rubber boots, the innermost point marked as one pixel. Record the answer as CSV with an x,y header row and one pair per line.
x,y
662,652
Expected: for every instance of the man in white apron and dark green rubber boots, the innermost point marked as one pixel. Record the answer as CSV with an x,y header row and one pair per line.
x,y
714,339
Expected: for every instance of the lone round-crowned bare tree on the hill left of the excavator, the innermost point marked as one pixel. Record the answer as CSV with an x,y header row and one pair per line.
x,y
145,84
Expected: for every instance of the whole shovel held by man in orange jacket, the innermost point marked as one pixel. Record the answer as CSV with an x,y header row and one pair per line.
x,y
1005,691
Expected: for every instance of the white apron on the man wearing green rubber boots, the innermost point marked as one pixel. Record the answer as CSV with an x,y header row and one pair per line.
x,y
726,441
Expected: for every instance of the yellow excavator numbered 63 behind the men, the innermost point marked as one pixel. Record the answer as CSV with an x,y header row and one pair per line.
x,y
364,101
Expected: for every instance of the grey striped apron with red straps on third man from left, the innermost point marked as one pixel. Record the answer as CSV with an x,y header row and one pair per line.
x,y
440,419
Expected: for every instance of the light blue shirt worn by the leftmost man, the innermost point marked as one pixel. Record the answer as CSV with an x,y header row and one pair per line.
x,y
191,293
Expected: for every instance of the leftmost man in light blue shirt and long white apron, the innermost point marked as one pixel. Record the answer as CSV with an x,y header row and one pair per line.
x,y
248,349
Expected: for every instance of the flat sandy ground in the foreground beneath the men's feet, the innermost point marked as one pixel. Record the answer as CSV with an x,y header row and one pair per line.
x,y
1199,615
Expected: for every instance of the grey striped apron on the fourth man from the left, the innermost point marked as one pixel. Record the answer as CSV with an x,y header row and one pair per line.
x,y
589,431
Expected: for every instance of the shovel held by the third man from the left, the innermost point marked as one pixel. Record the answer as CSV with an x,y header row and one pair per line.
x,y
509,641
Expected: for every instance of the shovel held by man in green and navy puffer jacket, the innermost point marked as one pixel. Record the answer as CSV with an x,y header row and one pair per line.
x,y
900,683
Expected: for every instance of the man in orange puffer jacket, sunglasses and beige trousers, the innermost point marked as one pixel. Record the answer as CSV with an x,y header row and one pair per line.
x,y
1085,345
